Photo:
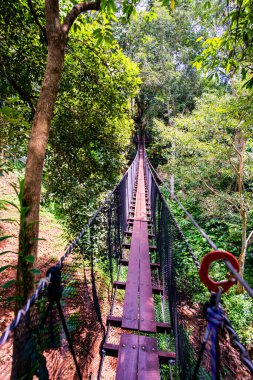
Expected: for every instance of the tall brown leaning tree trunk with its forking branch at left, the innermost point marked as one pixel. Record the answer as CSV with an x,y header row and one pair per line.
x,y
57,35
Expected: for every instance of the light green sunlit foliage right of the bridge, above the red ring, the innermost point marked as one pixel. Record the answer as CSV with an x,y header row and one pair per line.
x,y
200,148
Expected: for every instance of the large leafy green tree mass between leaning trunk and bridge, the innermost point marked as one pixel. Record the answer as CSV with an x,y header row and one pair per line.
x,y
92,128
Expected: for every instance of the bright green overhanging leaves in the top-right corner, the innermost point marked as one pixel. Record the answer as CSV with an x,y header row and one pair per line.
x,y
230,50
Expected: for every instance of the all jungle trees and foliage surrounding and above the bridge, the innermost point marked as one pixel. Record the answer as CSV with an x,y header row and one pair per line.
x,y
77,79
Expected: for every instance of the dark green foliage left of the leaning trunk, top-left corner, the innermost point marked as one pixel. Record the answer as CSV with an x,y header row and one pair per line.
x,y
22,60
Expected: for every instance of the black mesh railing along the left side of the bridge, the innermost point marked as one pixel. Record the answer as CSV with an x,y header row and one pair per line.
x,y
59,333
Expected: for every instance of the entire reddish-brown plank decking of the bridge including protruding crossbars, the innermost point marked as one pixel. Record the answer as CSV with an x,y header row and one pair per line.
x,y
138,355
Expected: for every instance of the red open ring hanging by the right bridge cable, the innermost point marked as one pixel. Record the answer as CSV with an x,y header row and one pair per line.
x,y
204,269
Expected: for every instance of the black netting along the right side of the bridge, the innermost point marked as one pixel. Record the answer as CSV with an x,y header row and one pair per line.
x,y
186,297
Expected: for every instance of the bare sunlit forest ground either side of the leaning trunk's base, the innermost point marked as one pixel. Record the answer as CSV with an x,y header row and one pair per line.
x,y
51,247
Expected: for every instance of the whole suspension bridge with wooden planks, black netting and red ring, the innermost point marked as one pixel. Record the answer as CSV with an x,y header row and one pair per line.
x,y
116,305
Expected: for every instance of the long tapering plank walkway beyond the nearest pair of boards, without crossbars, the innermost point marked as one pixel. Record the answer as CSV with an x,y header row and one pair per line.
x,y
138,311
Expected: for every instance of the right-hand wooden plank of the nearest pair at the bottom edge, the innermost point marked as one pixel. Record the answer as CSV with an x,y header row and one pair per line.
x,y
148,361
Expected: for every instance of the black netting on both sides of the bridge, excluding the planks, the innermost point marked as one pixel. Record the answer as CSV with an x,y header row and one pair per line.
x,y
62,334
